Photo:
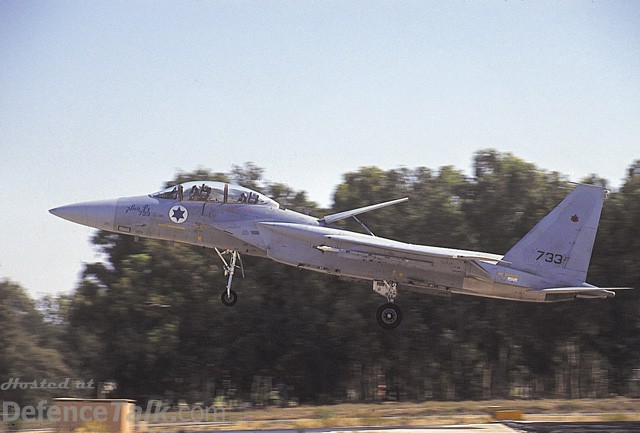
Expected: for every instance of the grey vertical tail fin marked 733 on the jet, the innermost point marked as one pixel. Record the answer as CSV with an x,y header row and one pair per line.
x,y
559,247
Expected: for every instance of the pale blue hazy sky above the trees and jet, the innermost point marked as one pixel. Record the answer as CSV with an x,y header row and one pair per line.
x,y
102,99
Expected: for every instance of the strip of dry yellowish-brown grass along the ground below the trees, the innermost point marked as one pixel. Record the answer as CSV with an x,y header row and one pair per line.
x,y
429,413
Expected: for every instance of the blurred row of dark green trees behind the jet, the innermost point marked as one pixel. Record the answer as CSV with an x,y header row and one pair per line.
x,y
149,317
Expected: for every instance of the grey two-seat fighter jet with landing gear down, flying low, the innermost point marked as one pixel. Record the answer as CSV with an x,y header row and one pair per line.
x,y
548,264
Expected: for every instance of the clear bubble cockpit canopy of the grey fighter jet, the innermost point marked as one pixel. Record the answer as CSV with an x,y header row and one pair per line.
x,y
216,192
